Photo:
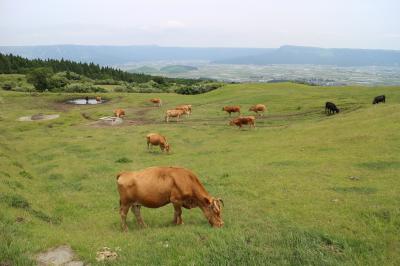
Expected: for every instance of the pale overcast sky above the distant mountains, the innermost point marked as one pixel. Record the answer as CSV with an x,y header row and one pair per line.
x,y
370,24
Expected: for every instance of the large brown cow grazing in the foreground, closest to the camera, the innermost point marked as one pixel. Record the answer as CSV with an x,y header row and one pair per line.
x,y
155,187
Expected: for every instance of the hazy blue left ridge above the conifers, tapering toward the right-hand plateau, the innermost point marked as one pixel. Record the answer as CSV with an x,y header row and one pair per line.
x,y
118,55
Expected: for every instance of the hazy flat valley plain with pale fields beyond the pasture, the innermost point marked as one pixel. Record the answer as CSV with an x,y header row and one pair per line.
x,y
319,74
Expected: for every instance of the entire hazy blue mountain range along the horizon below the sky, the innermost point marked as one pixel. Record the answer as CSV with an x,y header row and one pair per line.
x,y
119,55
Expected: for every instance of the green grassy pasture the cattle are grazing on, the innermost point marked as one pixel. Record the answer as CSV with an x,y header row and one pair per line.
x,y
289,199
